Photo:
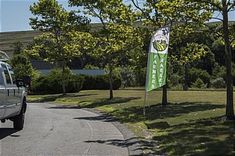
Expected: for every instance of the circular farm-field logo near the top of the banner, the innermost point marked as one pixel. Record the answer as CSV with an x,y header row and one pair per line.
x,y
160,43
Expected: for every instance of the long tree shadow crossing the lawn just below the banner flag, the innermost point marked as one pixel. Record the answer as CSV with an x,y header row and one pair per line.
x,y
135,114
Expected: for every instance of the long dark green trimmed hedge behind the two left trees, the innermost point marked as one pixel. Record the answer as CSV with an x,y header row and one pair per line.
x,y
52,83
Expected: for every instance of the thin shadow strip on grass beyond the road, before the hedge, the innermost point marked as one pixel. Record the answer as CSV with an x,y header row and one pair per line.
x,y
52,98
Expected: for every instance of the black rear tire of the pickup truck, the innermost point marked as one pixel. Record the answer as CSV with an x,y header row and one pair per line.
x,y
18,121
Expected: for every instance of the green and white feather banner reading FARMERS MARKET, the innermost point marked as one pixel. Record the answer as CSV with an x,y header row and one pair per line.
x,y
157,59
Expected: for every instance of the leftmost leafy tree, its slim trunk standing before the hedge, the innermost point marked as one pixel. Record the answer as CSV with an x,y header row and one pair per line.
x,y
60,27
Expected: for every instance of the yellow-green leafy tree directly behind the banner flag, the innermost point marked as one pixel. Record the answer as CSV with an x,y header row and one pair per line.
x,y
184,17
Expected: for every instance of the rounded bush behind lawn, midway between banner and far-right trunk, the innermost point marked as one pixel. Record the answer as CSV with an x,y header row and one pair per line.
x,y
195,74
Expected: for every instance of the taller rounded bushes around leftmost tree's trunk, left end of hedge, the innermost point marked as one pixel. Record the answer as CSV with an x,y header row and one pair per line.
x,y
52,83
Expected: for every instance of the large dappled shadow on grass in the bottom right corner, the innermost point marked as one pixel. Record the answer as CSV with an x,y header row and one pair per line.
x,y
198,138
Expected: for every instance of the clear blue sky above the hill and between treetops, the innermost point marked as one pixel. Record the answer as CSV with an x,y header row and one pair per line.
x,y
15,14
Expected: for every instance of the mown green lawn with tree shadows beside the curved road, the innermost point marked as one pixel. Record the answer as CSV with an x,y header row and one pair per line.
x,y
192,124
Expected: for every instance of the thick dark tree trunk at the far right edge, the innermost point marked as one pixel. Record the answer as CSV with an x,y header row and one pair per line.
x,y
229,78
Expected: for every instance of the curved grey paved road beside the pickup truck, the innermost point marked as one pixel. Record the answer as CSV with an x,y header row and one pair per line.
x,y
52,131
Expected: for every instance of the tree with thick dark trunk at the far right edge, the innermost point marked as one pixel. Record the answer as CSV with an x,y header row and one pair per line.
x,y
224,7
